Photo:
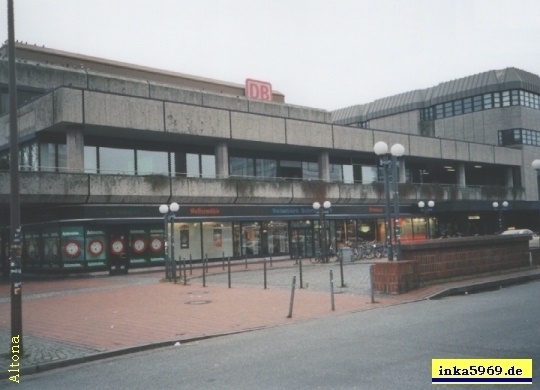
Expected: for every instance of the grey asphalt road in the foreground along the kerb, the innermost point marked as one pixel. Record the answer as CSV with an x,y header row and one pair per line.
x,y
386,348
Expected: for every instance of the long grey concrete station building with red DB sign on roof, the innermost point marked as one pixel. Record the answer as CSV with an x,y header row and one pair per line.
x,y
103,144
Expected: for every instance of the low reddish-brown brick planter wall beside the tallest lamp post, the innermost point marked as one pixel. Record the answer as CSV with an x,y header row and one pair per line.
x,y
433,260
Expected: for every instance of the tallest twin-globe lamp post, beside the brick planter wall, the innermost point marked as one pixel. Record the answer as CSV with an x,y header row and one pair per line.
x,y
390,162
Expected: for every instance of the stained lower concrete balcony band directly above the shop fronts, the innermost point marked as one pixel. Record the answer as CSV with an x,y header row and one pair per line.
x,y
70,188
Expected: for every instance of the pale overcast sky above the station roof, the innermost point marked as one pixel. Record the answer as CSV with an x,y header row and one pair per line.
x,y
325,54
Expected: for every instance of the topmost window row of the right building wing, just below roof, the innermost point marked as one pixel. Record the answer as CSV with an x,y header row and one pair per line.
x,y
482,102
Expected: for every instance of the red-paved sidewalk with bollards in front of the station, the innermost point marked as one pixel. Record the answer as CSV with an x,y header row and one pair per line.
x,y
77,319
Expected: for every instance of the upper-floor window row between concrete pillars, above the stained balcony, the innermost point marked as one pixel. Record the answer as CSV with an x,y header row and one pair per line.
x,y
52,157
